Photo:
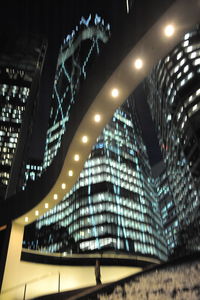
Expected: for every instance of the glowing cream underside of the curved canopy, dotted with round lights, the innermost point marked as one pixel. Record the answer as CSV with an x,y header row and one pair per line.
x,y
154,45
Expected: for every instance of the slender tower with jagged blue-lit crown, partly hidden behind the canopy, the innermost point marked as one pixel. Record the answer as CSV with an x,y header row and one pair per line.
x,y
77,52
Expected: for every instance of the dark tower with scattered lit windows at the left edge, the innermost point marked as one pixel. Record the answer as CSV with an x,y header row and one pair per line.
x,y
21,61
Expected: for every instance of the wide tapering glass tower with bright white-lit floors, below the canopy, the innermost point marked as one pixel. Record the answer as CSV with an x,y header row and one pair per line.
x,y
113,205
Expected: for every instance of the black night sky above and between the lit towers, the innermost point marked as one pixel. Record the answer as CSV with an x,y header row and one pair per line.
x,y
52,19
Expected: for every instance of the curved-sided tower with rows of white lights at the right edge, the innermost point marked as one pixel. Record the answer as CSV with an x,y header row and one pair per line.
x,y
174,99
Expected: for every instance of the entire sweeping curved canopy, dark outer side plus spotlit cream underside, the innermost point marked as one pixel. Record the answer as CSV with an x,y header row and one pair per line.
x,y
134,49
